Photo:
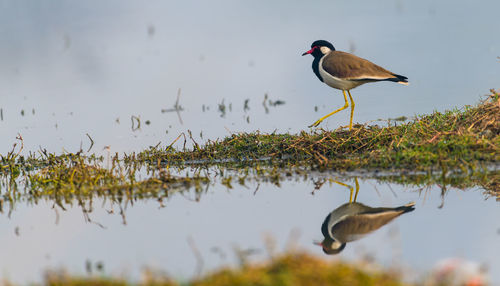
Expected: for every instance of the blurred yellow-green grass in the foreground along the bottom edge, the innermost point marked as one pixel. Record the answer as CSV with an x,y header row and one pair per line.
x,y
290,269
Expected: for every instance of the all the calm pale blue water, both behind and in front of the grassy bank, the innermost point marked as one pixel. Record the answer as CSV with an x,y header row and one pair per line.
x,y
88,67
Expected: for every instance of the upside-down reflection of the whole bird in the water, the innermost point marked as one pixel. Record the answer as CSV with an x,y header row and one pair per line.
x,y
352,221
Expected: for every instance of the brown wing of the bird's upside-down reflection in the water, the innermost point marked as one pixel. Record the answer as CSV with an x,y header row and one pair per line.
x,y
356,226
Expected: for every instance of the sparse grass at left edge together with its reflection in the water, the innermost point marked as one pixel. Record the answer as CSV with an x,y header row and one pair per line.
x,y
71,178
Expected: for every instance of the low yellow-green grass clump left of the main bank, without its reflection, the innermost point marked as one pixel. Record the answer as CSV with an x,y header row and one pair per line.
x,y
79,178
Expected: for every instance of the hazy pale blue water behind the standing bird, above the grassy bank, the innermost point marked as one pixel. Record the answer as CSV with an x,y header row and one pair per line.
x,y
69,68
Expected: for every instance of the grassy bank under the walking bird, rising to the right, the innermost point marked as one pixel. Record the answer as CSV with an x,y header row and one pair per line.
x,y
459,139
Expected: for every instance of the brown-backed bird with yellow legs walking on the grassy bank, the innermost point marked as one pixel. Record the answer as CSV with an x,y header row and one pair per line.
x,y
346,71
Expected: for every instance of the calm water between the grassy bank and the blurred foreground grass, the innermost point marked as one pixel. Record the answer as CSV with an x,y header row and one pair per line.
x,y
230,219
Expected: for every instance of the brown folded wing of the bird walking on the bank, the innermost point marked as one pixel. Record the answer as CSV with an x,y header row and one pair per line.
x,y
348,66
